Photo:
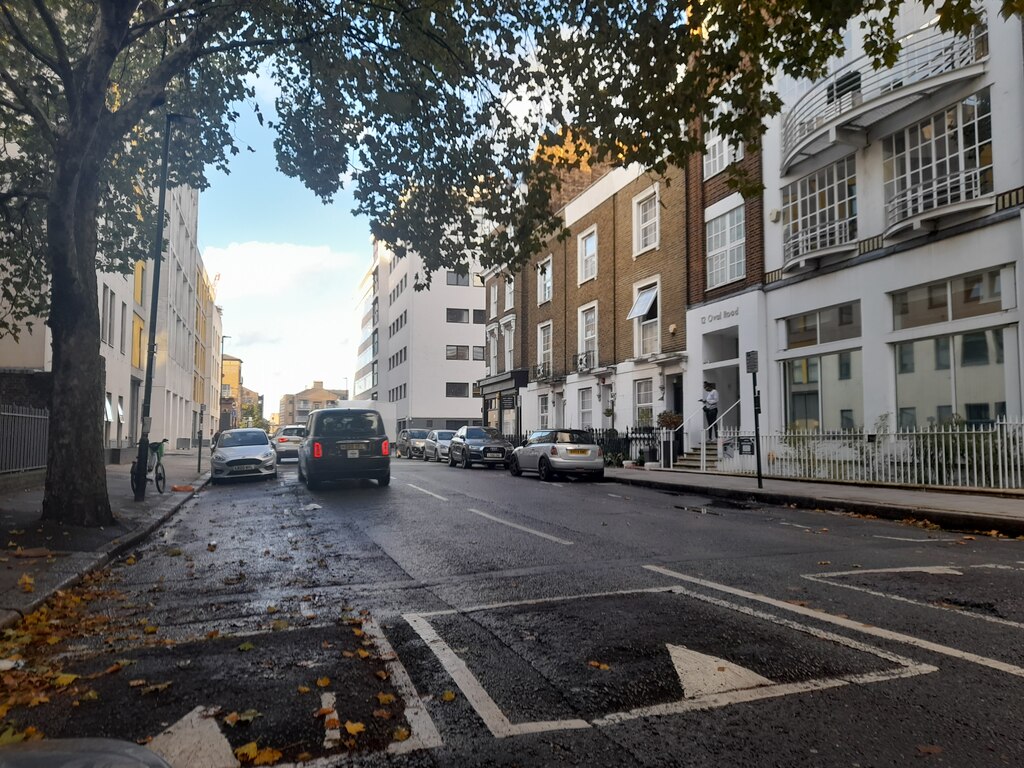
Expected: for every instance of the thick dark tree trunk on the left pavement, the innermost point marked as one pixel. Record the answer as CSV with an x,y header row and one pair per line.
x,y
76,473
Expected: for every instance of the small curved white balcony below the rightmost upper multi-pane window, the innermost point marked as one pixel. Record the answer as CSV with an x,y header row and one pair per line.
x,y
923,205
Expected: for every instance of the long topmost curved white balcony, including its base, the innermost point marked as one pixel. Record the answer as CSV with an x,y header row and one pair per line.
x,y
843,106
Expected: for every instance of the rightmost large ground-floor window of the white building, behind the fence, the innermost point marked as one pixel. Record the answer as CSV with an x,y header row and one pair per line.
x,y
932,389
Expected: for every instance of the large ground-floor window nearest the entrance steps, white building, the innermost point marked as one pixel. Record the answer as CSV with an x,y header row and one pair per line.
x,y
825,392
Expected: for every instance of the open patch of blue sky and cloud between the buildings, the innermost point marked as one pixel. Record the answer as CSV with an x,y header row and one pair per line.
x,y
290,270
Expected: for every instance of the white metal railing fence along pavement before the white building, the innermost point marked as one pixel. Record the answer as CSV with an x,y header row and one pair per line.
x,y
956,455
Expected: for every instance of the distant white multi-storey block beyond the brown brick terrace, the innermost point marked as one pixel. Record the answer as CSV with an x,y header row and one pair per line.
x,y
422,351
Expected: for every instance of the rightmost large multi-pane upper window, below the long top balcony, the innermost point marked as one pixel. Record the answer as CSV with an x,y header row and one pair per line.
x,y
941,161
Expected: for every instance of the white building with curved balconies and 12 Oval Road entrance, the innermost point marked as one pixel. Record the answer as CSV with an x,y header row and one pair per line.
x,y
892,239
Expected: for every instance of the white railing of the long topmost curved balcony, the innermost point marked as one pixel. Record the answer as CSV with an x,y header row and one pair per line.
x,y
925,55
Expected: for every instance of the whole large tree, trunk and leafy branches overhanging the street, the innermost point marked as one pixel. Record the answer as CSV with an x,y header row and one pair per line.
x,y
437,112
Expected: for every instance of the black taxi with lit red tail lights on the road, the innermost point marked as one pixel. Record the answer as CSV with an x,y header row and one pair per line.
x,y
345,443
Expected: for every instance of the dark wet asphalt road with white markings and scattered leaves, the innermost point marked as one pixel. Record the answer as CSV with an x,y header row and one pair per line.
x,y
531,624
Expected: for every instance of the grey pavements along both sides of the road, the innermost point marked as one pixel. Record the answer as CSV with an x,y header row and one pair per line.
x,y
40,559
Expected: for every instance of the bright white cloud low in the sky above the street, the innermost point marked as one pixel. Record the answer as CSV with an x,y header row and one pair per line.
x,y
291,314
